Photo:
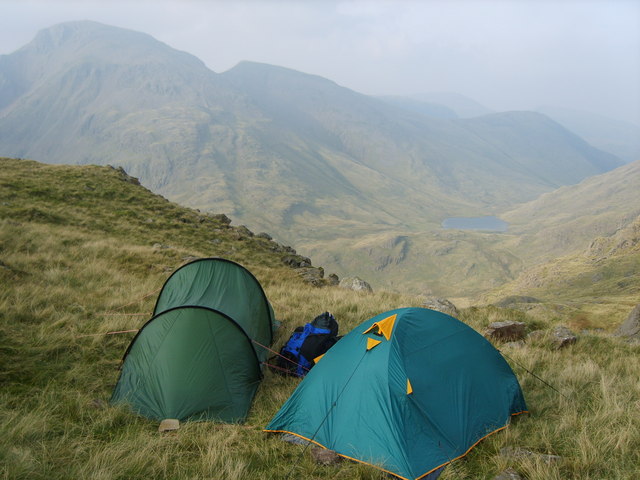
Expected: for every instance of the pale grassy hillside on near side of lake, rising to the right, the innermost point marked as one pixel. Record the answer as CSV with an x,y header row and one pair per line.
x,y
457,263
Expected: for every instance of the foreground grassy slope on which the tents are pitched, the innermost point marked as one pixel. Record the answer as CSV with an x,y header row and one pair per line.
x,y
82,252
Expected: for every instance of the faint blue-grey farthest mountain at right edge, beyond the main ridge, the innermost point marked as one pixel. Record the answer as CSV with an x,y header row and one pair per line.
x,y
614,136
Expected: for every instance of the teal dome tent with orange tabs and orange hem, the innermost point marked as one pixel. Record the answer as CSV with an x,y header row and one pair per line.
x,y
407,391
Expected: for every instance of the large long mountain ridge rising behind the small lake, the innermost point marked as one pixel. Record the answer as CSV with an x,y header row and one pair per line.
x,y
282,151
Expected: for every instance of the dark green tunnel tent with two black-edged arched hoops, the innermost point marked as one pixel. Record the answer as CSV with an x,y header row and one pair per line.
x,y
200,355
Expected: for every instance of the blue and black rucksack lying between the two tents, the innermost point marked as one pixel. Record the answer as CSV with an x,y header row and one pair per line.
x,y
306,344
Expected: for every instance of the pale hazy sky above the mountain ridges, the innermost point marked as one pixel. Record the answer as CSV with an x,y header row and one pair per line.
x,y
506,54
